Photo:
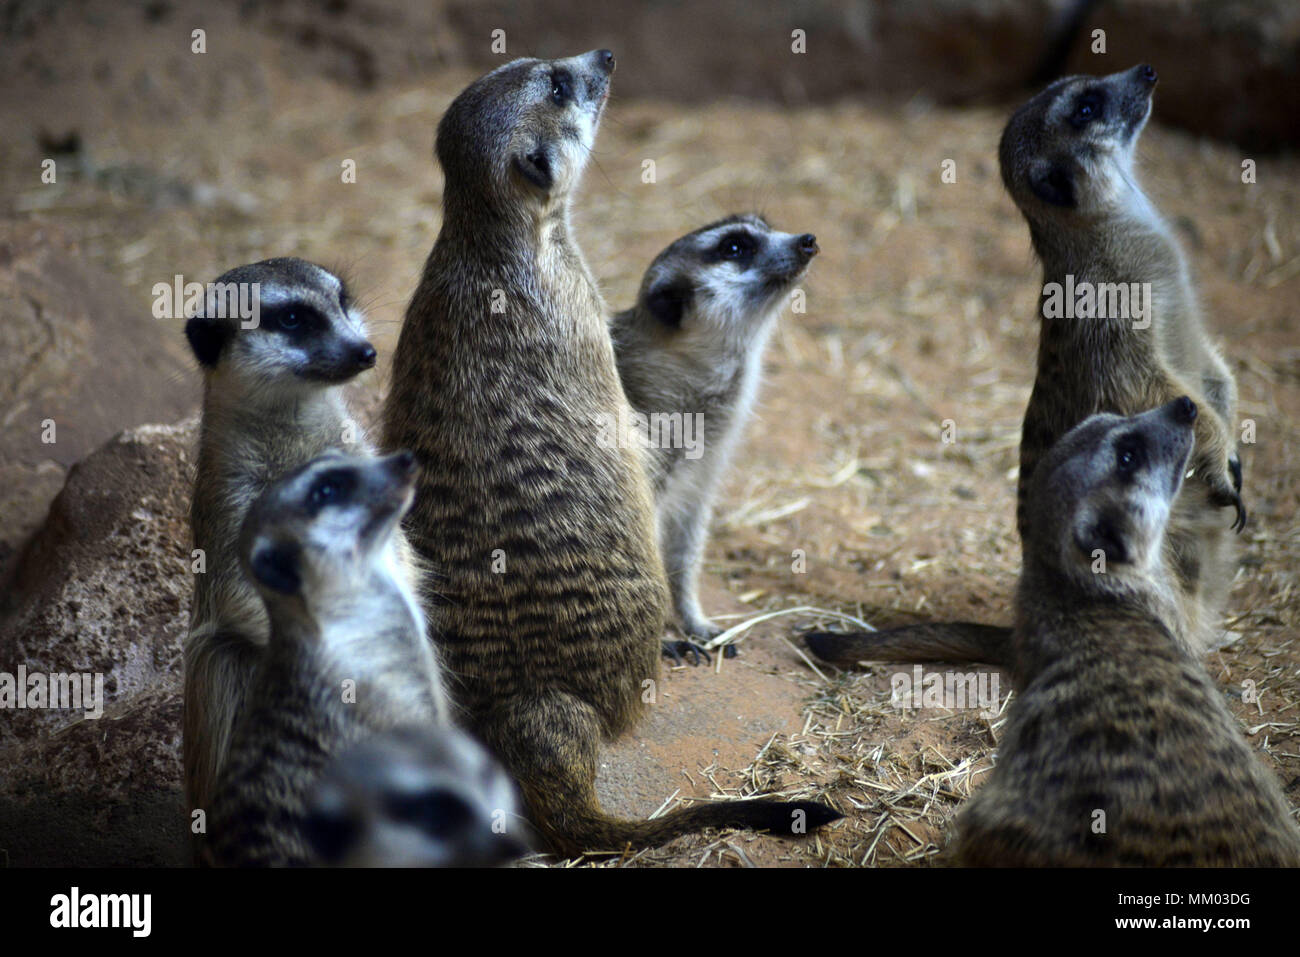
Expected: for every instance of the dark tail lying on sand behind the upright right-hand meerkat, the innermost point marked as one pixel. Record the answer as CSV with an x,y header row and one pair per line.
x,y
947,642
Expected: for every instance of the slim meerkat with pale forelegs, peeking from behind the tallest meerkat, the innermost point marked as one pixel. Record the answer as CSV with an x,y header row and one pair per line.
x,y
691,353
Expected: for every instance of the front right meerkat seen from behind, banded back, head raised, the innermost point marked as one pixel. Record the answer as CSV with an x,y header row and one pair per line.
x,y
1119,748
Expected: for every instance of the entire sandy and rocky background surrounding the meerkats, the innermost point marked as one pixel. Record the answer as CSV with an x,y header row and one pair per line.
x,y
830,116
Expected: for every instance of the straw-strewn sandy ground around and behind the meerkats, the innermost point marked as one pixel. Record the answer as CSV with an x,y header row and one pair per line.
x,y
920,310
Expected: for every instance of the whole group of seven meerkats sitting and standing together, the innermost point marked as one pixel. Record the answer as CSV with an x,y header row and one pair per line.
x,y
413,659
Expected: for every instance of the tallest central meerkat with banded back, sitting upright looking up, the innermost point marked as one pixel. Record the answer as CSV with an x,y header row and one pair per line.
x,y
552,594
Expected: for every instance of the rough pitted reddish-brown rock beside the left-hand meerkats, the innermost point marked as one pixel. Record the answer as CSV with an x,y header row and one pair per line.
x,y
105,587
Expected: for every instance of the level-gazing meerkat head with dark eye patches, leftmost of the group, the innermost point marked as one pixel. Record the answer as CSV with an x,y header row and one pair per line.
x,y
304,331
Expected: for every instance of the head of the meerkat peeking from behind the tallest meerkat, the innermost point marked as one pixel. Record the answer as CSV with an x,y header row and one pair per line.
x,y
729,278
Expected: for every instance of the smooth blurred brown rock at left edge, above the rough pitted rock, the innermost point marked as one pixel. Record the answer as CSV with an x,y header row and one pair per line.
x,y
81,360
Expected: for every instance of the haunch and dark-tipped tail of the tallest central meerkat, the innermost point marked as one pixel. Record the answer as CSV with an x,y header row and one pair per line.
x,y
551,747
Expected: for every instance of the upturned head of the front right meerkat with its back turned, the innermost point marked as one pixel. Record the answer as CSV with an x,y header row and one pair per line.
x,y
1106,490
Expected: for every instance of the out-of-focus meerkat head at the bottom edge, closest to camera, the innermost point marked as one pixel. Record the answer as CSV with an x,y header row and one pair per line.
x,y
417,798
